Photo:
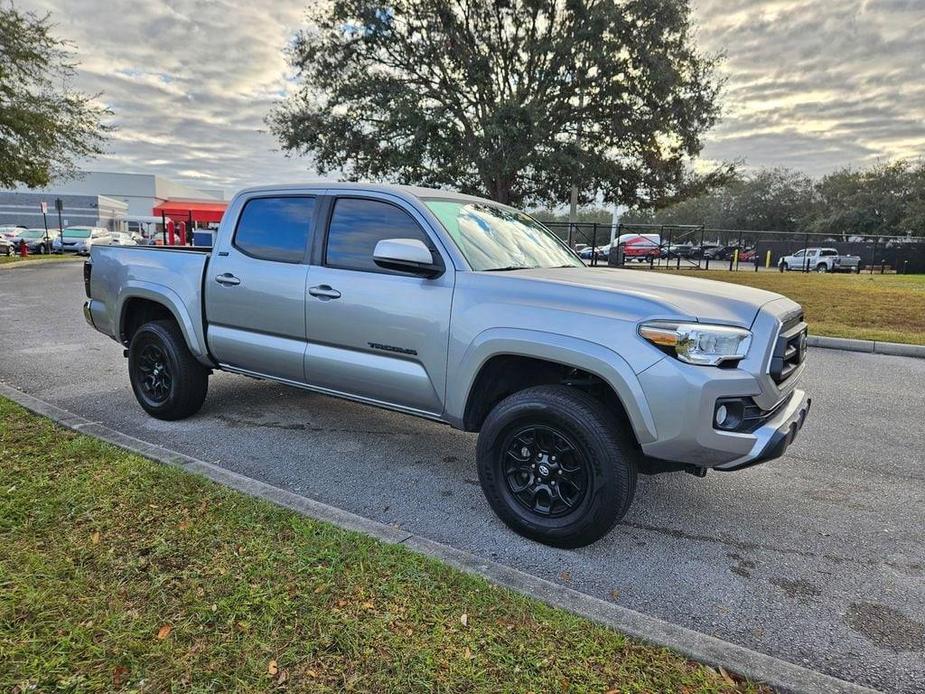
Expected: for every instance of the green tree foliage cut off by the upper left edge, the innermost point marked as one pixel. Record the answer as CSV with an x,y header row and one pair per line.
x,y
45,126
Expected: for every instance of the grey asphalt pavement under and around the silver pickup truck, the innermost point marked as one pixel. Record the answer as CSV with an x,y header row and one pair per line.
x,y
817,558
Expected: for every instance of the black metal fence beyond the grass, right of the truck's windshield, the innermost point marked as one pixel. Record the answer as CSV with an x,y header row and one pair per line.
x,y
698,247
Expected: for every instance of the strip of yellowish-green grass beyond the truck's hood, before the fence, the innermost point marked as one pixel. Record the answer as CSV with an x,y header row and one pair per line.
x,y
868,307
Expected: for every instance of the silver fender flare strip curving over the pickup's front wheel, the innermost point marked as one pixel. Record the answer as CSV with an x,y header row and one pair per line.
x,y
570,351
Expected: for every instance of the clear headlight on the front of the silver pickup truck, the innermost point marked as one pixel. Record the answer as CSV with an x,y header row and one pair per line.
x,y
696,343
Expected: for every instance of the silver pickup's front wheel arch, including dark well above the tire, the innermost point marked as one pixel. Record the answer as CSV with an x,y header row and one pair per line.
x,y
502,361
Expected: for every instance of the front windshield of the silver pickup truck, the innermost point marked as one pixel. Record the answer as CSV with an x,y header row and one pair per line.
x,y
495,238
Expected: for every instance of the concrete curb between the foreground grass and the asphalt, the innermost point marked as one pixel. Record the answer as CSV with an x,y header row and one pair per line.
x,y
779,674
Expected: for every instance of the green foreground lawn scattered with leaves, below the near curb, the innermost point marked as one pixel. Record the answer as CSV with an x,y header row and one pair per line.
x,y
117,573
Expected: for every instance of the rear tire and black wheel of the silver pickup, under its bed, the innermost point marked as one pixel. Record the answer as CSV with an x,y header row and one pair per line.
x,y
167,380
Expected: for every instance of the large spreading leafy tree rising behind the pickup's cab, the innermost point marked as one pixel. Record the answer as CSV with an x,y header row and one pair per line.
x,y
513,99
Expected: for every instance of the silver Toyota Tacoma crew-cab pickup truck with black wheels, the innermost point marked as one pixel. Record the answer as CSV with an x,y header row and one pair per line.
x,y
471,313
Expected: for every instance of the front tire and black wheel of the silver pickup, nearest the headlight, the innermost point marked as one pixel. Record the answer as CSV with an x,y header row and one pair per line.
x,y
557,430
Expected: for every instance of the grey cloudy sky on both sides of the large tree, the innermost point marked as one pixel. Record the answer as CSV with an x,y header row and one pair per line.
x,y
812,84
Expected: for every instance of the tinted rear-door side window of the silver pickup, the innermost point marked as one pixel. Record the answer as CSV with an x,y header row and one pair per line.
x,y
275,228
